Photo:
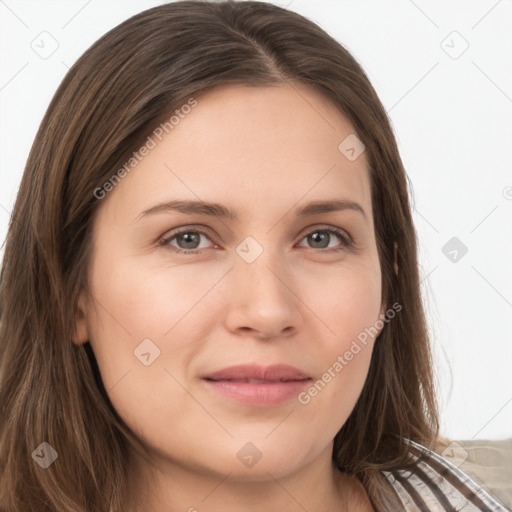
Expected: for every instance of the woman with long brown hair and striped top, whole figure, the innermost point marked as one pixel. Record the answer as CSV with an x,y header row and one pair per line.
x,y
210,295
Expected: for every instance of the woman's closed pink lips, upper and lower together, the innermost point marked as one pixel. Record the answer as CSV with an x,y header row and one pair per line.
x,y
279,383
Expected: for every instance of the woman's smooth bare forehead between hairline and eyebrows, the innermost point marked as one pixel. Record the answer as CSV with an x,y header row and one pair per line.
x,y
250,147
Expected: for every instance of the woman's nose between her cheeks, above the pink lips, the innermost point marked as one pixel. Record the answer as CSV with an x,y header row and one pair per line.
x,y
262,300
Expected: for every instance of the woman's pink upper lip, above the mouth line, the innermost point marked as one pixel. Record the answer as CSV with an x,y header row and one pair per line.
x,y
276,372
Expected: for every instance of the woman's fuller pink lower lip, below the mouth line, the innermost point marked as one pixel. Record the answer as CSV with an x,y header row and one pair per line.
x,y
259,395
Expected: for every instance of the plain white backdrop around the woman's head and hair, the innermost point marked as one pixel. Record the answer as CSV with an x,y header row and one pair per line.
x,y
452,119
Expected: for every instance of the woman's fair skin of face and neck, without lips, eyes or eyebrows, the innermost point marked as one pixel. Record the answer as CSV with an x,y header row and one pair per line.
x,y
263,152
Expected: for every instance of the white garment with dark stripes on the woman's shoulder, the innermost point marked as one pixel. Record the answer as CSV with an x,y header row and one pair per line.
x,y
436,485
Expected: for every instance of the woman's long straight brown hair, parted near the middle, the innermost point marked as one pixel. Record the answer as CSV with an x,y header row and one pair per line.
x,y
148,66
